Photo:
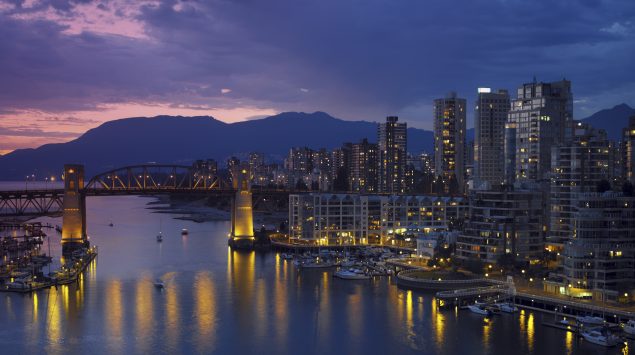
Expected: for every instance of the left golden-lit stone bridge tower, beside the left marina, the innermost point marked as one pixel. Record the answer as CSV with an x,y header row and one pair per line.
x,y
74,209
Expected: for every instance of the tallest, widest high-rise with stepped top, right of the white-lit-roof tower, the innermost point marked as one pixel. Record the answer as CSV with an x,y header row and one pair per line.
x,y
540,113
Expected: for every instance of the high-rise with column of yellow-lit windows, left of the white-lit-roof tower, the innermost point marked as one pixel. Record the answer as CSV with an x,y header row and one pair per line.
x,y
449,140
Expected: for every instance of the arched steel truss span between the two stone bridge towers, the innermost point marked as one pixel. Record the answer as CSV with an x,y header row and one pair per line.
x,y
153,178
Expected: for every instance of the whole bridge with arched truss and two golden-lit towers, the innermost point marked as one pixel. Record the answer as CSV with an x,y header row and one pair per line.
x,y
150,179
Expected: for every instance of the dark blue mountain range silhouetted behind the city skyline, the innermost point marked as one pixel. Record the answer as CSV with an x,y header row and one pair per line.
x,y
181,140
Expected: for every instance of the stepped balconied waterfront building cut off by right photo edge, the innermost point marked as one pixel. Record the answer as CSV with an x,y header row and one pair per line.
x,y
599,261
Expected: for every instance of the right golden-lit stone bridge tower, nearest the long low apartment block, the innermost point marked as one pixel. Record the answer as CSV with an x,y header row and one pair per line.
x,y
242,233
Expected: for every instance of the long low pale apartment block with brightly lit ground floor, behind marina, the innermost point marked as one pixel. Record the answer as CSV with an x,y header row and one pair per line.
x,y
331,218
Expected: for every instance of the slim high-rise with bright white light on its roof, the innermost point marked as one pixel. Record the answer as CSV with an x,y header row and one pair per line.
x,y
490,117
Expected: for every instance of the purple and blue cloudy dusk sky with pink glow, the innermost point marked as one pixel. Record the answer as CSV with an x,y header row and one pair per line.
x,y
68,66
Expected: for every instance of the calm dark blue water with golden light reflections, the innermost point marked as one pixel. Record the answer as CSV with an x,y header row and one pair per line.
x,y
227,302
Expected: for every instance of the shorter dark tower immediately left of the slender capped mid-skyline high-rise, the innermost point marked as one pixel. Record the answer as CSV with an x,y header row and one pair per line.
x,y
363,167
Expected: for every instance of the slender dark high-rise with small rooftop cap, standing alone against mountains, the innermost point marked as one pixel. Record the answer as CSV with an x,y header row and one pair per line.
x,y
392,142
